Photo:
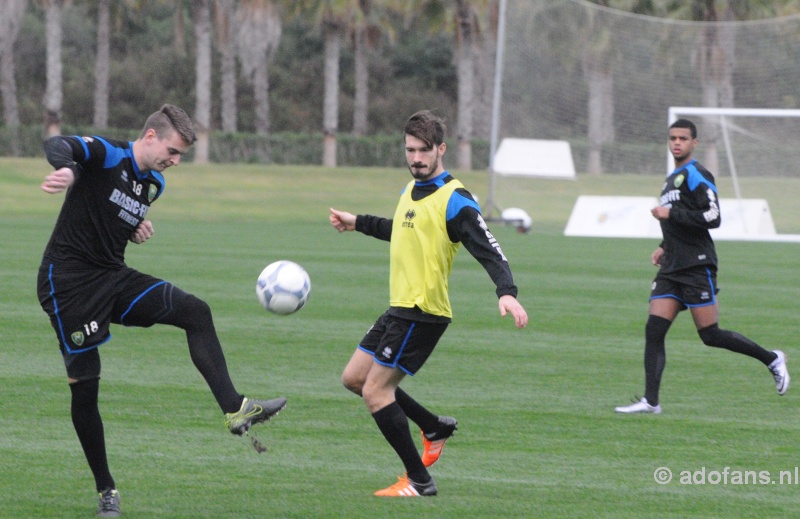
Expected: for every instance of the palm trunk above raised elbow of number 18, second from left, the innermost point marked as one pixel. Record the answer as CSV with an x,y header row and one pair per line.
x,y
54,95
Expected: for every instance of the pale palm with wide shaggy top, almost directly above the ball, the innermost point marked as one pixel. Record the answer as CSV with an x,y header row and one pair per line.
x,y
259,27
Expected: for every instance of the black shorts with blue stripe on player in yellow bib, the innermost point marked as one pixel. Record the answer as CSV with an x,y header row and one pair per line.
x,y
401,343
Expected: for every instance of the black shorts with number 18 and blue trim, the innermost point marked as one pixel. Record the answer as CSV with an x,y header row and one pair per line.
x,y
82,302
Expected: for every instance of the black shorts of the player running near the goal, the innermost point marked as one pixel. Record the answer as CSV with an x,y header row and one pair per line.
x,y
692,287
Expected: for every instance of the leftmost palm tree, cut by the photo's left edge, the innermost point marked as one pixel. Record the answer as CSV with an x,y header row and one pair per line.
x,y
11,13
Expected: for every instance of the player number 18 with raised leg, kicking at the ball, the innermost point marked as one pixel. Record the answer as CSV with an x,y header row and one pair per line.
x,y
84,284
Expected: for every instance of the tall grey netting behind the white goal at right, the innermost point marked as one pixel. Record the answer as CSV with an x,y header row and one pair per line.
x,y
604,81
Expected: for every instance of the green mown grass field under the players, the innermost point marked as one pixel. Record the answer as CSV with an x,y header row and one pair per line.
x,y
538,436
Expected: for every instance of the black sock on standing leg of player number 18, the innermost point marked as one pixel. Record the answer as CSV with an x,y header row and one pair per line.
x,y
89,426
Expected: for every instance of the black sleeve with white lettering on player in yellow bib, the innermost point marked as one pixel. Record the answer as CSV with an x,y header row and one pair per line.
x,y
469,228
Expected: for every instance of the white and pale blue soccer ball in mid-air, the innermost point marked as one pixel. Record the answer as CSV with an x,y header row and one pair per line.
x,y
283,287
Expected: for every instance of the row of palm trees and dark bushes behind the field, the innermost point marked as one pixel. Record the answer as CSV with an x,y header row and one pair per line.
x,y
274,66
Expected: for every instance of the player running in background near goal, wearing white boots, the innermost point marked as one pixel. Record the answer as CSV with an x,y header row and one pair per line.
x,y
687,277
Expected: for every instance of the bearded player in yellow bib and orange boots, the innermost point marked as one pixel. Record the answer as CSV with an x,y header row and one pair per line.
x,y
434,216
